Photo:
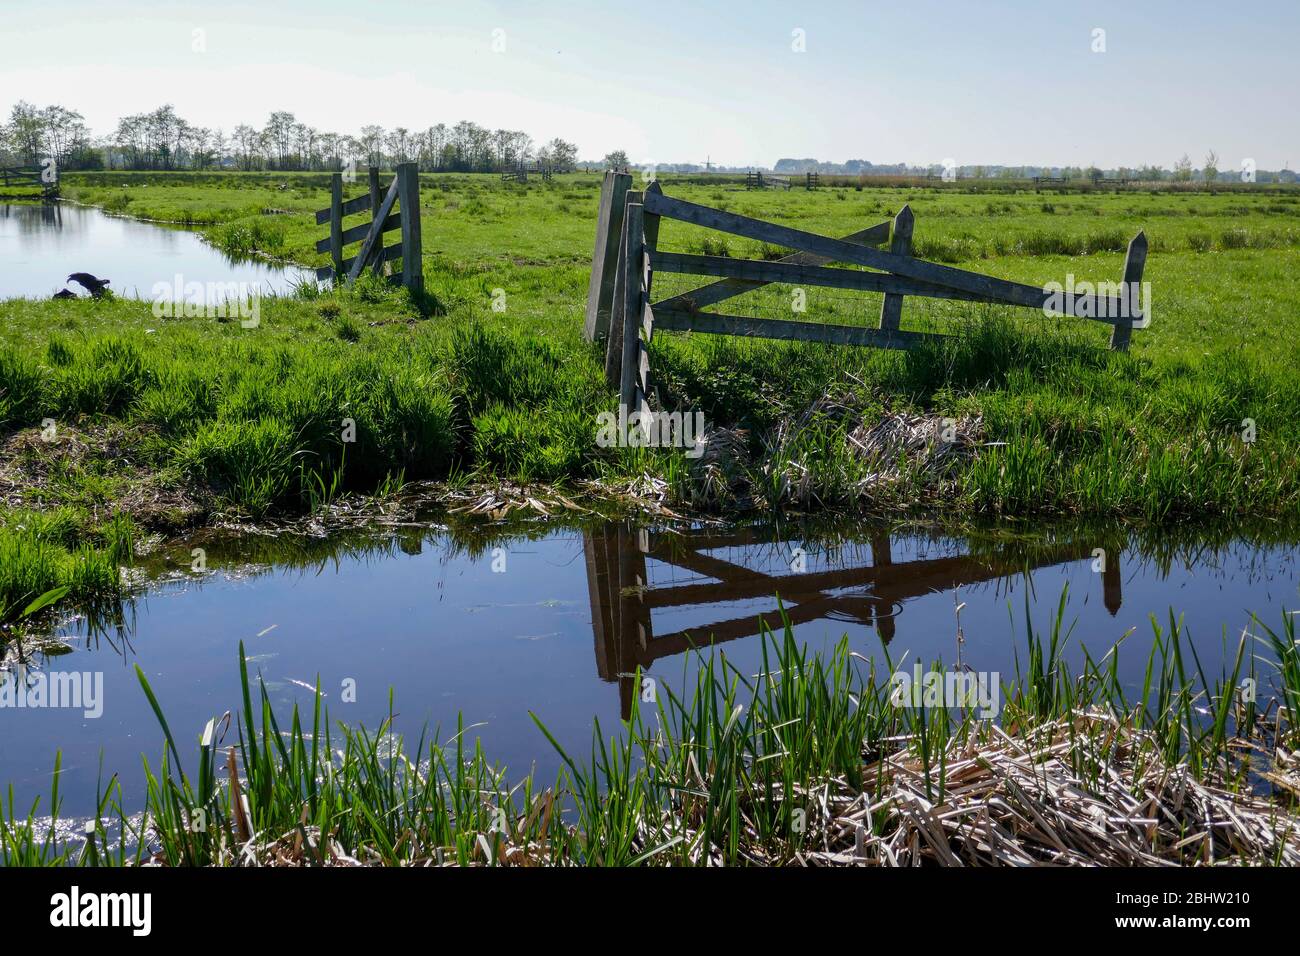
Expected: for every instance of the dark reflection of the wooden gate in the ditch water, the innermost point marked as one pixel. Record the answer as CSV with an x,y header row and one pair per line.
x,y
623,598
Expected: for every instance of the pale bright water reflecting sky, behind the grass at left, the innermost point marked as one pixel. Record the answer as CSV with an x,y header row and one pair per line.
x,y
42,245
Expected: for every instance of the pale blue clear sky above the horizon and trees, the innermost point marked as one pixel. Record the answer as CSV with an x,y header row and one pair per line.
x,y
743,84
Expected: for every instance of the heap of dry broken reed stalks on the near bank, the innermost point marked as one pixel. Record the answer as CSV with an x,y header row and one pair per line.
x,y
1011,802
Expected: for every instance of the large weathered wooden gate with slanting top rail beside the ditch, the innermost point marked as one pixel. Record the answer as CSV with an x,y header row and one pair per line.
x,y
621,312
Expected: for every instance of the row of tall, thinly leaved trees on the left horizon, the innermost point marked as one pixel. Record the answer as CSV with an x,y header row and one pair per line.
x,y
161,140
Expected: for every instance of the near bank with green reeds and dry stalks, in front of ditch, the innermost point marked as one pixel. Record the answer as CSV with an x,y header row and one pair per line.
x,y
812,762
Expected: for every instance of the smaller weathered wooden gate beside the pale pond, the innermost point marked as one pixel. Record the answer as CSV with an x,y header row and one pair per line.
x,y
402,196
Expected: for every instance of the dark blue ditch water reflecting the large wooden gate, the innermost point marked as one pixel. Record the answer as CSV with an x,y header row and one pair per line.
x,y
554,620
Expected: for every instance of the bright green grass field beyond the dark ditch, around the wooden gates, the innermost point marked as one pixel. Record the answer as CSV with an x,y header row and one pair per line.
x,y
170,421
